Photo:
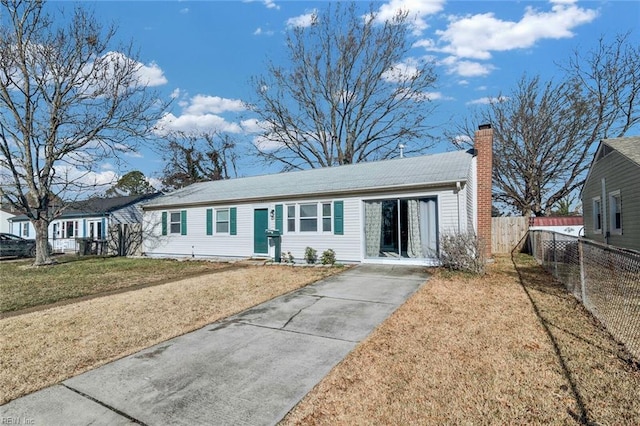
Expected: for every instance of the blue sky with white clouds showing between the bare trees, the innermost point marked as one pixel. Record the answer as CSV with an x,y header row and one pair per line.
x,y
202,54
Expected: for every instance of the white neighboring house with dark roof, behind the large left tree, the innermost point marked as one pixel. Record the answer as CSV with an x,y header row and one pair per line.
x,y
110,220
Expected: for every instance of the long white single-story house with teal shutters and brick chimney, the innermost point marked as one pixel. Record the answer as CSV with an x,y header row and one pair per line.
x,y
380,212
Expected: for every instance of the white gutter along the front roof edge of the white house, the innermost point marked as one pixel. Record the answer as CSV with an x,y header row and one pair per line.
x,y
377,189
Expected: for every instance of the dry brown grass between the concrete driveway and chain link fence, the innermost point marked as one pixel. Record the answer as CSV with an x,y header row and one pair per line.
x,y
507,348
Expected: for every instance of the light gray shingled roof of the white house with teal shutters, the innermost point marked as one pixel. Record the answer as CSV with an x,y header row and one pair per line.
x,y
424,170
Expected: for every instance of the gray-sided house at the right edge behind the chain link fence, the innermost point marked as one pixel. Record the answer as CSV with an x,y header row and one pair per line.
x,y
611,194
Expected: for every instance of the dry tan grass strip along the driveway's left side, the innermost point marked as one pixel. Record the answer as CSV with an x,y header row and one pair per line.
x,y
42,348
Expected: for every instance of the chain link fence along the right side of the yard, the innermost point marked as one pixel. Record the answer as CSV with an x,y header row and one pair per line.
x,y
604,278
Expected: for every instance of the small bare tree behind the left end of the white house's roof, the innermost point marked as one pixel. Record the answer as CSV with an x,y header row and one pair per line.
x,y
192,158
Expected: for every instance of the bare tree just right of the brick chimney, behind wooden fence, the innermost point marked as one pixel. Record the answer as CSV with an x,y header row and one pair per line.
x,y
541,140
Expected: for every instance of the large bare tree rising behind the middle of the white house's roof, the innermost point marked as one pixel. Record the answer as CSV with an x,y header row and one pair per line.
x,y
348,93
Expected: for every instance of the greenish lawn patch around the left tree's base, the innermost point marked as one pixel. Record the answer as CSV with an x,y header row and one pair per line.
x,y
24,286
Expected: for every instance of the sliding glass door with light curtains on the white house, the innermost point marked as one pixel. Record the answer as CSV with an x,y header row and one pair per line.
x,y
401,228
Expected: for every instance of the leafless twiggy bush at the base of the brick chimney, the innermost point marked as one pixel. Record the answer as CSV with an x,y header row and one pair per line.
x,y
462,252
